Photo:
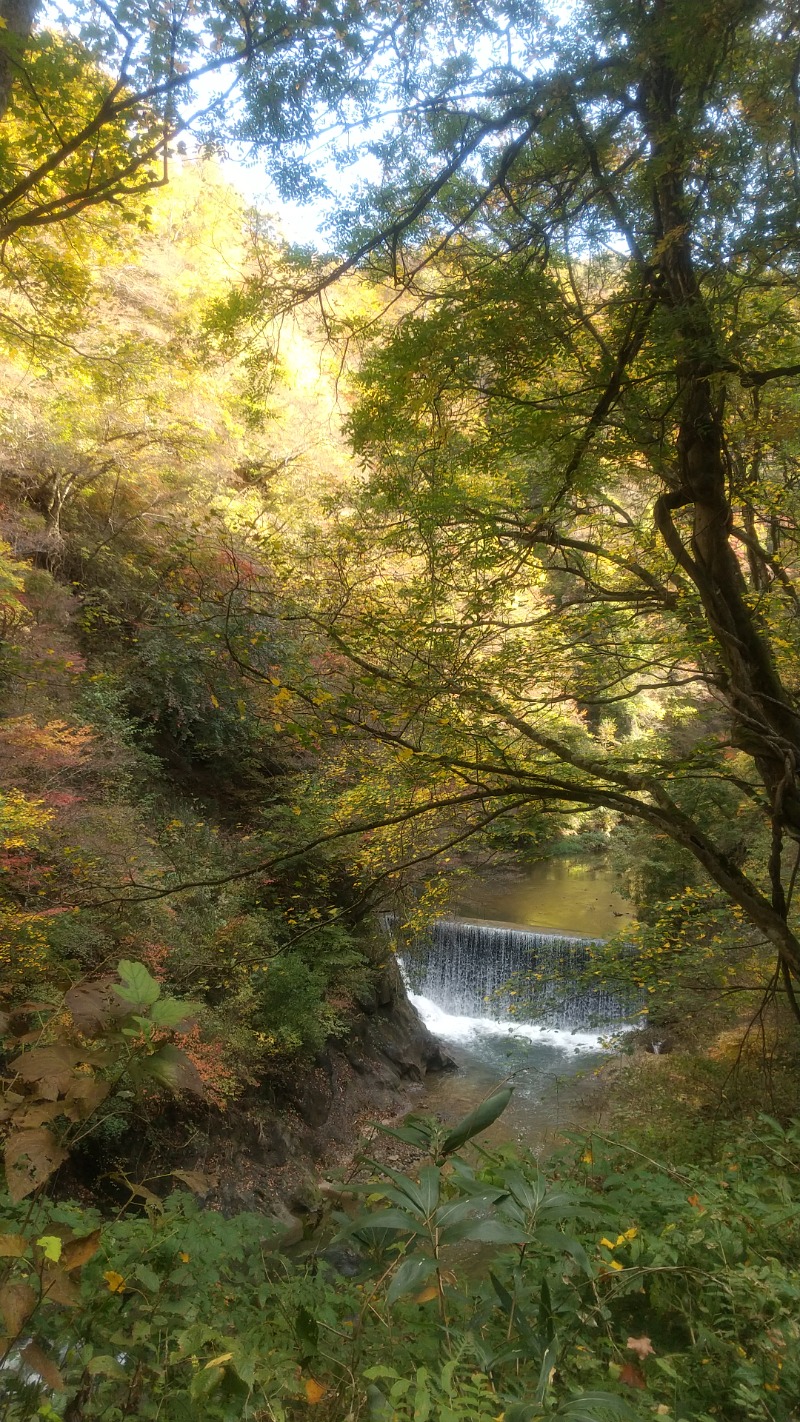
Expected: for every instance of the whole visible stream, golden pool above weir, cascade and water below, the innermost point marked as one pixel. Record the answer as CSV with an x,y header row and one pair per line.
x,y
499,983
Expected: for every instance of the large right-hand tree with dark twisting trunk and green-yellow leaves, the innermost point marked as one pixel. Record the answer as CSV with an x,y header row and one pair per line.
x,y
579,429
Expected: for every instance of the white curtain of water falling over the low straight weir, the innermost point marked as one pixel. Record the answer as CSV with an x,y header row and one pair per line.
x,y
494,973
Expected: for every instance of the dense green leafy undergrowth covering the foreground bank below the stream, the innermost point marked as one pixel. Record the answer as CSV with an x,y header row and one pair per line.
x,y
480,1289
